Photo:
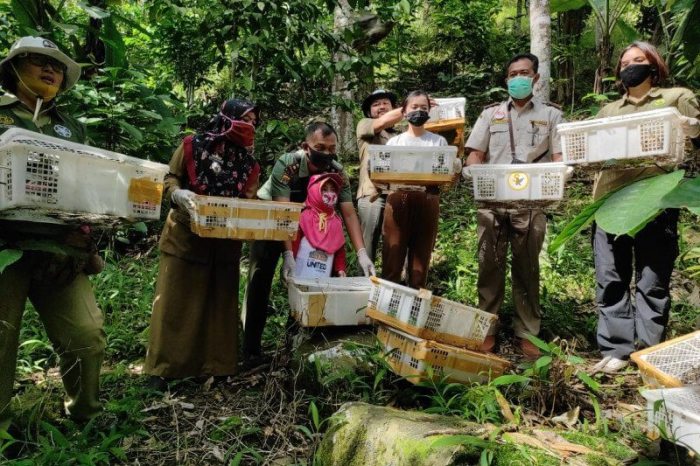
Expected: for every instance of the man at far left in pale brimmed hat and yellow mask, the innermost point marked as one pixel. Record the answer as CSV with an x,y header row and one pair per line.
x,y
32,74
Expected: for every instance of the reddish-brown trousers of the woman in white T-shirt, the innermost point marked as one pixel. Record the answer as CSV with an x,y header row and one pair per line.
x,y
410,228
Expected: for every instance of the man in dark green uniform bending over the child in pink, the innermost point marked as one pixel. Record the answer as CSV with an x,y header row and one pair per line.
x,y
288,182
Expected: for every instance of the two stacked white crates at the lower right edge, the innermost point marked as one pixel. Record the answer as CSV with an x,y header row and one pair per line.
x,y
672,371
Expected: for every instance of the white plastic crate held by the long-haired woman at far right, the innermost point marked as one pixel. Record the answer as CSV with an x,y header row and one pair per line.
x,y
655,133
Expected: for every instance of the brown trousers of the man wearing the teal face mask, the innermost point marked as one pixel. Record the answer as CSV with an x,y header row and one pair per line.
x,y
524,229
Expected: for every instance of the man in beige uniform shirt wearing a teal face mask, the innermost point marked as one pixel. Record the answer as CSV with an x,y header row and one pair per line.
x,y
519,130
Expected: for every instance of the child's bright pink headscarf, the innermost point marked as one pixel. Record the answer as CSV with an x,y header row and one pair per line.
x,y
319,222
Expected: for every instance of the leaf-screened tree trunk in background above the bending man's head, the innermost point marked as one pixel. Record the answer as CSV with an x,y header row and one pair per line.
x,y
341,119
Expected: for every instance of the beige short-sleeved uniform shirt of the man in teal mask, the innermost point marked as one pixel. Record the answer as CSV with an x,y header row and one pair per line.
x,y
534,132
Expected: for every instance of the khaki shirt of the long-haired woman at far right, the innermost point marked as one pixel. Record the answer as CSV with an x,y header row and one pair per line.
x,y
681,98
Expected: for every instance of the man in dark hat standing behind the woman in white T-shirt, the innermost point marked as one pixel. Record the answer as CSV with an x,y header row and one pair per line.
x,y
377,127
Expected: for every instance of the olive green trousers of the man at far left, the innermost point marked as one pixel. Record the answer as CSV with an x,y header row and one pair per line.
x,y
73,323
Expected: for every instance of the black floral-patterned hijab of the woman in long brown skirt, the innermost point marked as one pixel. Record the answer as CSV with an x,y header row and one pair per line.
x,y
216,165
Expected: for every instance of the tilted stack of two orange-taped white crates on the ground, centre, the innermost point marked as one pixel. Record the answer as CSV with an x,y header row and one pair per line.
x,y
425,335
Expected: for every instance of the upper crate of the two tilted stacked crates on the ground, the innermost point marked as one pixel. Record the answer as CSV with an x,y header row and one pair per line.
x,y
421,314
